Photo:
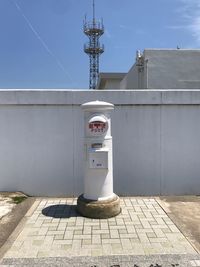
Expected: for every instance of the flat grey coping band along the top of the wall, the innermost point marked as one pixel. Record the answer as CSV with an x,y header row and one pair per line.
x,y
116,97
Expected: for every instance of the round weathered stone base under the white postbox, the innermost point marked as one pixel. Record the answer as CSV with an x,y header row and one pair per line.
x,y
98,209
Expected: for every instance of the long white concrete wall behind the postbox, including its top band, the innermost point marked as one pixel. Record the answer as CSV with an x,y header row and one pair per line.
x,y
155,140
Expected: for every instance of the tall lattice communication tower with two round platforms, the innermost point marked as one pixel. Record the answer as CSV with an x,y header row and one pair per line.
x,y
94,30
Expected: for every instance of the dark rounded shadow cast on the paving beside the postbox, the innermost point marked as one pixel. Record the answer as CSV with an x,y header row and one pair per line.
x,y
61,211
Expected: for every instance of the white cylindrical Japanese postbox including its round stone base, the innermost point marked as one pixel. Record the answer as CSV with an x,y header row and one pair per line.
x,y
98,199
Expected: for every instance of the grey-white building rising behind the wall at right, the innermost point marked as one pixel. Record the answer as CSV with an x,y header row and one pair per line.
x,y
157,69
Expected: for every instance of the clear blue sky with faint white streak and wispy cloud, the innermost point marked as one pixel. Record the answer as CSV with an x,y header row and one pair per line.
x,y
41,41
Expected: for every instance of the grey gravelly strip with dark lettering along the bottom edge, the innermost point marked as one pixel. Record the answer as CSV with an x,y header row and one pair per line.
x,y
110,261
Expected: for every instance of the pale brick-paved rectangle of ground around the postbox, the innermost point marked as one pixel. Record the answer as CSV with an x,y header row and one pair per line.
x,y
54,229
